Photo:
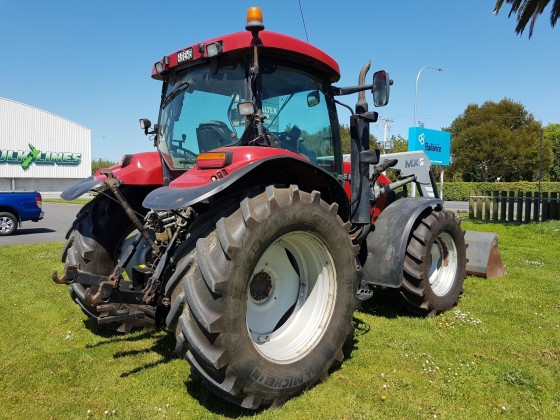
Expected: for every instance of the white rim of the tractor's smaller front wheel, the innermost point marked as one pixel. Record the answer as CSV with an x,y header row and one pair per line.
x,y
443,264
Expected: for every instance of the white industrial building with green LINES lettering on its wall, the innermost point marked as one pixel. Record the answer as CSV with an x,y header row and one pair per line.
x,y
39,150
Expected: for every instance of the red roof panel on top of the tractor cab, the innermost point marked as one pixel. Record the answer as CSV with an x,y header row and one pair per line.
x,y
270,40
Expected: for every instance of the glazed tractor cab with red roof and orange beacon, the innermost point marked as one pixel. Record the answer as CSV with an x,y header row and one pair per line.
x,y
254,88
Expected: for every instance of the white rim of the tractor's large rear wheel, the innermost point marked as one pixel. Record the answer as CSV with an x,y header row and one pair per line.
x,y
291,296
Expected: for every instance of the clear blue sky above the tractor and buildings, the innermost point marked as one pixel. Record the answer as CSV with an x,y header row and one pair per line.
x,y
91,61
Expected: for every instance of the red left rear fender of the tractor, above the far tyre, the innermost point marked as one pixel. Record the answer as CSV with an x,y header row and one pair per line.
x,y
139,169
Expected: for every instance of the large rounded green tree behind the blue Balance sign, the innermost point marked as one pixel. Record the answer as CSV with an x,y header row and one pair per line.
x,y
498,141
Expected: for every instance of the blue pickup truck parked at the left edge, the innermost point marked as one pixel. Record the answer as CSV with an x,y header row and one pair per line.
x,y
18,206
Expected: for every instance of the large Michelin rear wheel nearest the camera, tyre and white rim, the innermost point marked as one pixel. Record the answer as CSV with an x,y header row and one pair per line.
x,y
266,300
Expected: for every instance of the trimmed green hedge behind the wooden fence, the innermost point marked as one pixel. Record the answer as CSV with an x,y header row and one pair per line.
x,y
460,191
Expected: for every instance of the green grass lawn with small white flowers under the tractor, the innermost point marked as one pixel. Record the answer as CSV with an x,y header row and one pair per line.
x,y
497,355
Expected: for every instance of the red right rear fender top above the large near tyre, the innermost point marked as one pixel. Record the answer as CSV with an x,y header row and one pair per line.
x,y
241,156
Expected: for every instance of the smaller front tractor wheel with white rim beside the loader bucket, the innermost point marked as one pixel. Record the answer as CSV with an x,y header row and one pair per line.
x,y
434,267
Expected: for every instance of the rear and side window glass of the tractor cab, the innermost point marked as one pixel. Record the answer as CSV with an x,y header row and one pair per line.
x,y
199,113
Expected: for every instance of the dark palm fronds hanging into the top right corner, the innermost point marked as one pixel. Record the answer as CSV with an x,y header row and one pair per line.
x,y
529,10
